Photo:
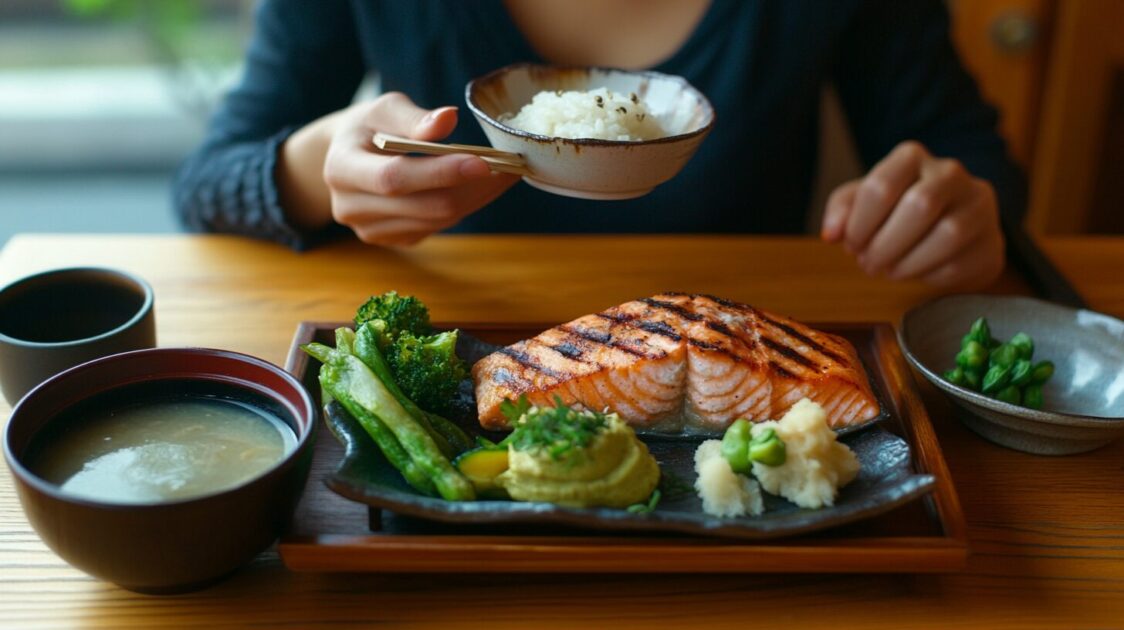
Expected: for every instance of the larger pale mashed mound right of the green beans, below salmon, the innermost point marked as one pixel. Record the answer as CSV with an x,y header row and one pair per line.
x,y
817,466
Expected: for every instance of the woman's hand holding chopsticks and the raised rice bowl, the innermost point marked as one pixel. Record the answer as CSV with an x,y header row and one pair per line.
x,y
386,200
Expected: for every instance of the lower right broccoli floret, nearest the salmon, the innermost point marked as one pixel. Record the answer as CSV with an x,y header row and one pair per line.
x,y
428,370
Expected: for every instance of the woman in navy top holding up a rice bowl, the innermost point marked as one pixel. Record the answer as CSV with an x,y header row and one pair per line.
x,y
289,156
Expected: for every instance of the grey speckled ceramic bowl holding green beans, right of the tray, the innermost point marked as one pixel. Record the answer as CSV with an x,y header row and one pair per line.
x,y
1084,401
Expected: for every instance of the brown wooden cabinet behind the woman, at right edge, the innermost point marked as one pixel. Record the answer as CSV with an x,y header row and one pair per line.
x,y
1056,71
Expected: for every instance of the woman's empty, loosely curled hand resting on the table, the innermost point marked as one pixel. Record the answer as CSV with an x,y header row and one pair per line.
x,y
920,217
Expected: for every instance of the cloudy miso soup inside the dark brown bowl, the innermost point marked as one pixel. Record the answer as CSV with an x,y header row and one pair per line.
x,y
161,448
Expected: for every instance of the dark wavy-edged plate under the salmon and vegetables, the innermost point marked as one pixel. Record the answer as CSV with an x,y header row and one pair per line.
x,y
887,480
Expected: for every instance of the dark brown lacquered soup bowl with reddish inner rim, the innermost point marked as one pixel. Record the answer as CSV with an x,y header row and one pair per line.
x,y
176,546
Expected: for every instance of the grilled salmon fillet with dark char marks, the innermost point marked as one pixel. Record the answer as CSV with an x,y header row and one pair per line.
x,y
679,363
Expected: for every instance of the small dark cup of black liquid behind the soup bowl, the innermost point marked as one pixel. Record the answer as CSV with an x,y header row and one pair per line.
x,y
59,319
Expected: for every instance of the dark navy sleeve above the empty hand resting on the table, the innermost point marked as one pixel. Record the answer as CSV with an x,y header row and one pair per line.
x,y
900,78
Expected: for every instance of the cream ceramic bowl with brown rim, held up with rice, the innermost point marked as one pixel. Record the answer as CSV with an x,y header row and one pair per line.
x,y
594,169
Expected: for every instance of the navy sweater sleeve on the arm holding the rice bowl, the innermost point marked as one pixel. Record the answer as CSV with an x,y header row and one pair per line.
x,y
303,62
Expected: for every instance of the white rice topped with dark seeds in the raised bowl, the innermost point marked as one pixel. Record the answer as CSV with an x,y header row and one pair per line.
x,y
599,114
